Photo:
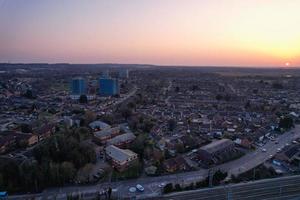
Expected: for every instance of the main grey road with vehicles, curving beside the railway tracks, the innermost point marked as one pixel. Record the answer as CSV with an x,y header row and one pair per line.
x,y
151,184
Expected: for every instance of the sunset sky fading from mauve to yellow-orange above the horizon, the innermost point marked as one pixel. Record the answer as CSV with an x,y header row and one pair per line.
x,y
163,32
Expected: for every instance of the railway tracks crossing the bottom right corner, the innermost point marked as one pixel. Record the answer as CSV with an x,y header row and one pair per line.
x,y
268,189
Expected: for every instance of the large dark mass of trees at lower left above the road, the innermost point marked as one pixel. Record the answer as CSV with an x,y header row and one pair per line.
x,y
54,163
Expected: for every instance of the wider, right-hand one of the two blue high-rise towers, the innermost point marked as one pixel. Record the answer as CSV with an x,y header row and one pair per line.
x,y
108,87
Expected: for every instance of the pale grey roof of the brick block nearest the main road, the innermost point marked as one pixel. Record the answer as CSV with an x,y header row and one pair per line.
x,y
118,154
